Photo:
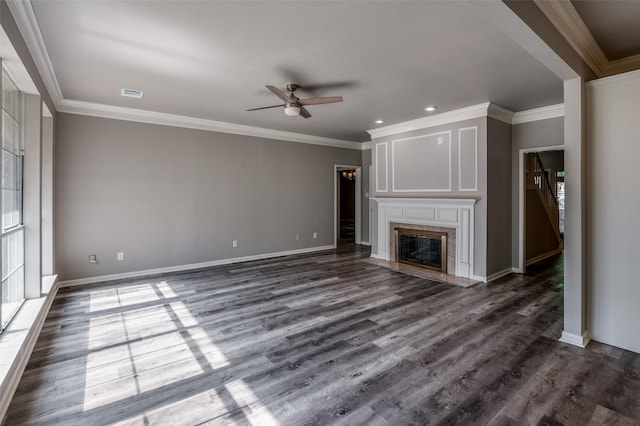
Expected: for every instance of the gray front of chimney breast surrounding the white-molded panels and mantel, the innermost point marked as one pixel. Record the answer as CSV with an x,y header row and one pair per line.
x,y
480,220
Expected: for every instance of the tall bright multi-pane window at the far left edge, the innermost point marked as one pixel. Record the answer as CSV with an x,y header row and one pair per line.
x,y
12,256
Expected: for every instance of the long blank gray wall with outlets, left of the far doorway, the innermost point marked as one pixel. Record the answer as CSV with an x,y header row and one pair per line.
x,y
169,196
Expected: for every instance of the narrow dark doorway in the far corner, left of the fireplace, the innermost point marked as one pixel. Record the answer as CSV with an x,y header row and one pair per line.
x,y
347,202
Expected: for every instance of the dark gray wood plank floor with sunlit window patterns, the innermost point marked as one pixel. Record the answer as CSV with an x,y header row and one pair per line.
x,y
320,339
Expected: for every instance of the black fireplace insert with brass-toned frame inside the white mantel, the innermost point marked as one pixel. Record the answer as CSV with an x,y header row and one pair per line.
x,y
423,248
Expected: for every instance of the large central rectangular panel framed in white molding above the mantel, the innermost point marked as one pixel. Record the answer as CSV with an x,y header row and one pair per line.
x,y
417,163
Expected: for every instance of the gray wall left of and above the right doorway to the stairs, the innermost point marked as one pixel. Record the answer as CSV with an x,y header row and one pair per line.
x,y
535,134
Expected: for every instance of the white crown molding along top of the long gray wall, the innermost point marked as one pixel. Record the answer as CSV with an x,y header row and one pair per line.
x,y
164,119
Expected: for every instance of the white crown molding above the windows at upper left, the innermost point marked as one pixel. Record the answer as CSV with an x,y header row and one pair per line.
x,y
25,18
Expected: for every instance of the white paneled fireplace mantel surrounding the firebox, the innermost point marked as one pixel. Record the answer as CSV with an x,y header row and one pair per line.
x,y
457,213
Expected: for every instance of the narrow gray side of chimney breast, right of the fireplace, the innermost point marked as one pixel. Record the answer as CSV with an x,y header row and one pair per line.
x,y
499,196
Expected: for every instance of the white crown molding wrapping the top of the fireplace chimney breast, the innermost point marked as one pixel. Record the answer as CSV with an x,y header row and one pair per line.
x,y
486,109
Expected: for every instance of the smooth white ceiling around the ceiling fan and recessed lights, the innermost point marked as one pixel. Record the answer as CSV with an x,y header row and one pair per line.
x,y
212,59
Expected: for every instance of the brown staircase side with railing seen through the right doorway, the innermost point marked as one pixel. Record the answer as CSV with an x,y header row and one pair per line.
x,y
543,237
